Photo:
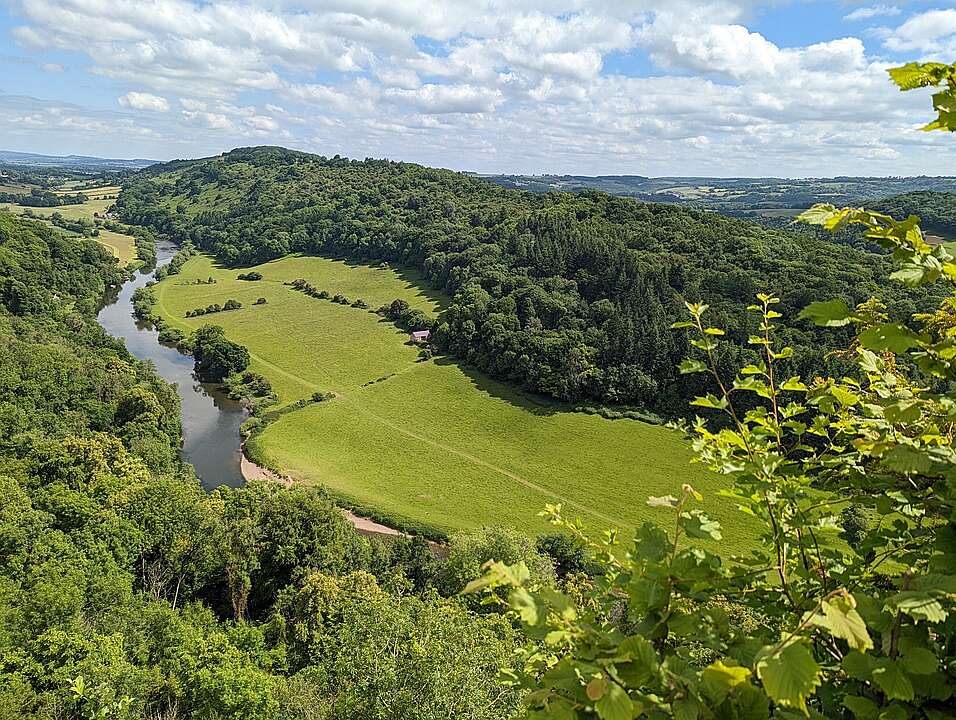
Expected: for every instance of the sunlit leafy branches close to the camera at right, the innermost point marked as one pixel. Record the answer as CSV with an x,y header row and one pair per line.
x,y
808,623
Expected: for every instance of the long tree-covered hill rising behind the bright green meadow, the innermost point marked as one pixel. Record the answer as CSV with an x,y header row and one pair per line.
x,y
571,295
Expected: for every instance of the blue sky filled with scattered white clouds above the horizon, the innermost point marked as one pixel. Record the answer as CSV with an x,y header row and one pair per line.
x,y
640,87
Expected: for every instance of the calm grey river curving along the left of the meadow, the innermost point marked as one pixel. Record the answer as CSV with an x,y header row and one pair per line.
x,y
210,419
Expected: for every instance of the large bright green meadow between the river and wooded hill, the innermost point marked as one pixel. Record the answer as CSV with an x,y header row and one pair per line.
x,y
432,443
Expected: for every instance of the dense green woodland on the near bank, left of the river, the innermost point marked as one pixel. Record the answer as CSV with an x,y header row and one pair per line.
x,y
126,591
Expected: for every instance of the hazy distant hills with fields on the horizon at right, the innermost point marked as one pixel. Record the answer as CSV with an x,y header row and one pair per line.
x,y
732,194
